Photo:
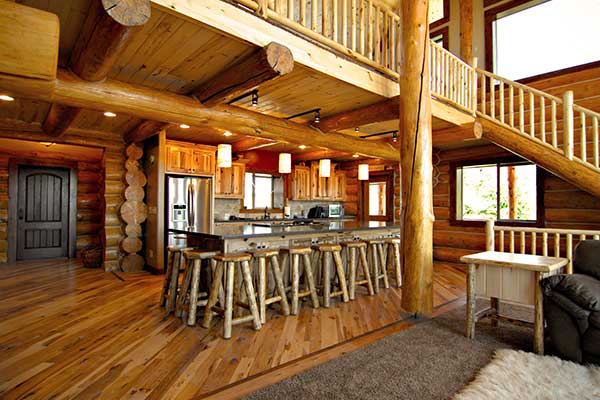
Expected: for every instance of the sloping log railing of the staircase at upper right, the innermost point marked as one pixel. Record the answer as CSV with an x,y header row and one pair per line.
x,y
557,123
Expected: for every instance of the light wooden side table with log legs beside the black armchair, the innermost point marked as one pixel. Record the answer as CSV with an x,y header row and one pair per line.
x,y
529,266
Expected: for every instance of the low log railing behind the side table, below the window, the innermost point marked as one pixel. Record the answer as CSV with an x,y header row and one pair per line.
x,y
537,241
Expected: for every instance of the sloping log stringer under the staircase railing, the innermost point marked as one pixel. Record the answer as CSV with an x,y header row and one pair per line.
x,y
545,156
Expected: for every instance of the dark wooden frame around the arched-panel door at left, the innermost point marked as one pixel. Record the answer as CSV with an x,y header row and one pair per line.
x,y
13,192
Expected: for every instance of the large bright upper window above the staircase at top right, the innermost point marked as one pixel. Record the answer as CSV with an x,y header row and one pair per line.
x,y
524,39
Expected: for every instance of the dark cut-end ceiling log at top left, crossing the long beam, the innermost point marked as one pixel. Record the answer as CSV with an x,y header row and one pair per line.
x,y
105,32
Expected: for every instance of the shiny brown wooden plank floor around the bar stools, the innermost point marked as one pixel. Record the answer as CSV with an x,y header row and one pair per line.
x,y
70,332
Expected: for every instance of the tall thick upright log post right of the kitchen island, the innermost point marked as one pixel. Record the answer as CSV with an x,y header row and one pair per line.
x,y
416,159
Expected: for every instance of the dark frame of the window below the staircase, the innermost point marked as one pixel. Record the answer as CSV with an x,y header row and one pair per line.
x,y
504,161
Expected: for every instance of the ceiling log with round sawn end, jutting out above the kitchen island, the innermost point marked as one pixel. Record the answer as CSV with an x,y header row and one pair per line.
x,y
264,65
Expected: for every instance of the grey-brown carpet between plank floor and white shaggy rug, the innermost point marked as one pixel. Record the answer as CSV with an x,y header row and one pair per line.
x,y
432,360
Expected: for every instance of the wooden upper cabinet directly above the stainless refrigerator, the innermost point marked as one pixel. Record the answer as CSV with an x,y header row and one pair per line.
x,y
188,158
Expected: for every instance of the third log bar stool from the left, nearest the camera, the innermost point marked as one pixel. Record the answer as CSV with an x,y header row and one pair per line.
x,y
230,262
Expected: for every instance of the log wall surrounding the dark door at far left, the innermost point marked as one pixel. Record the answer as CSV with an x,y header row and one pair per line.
x,y
100,191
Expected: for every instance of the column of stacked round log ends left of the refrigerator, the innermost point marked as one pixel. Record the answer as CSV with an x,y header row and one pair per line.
x,y
133,210
